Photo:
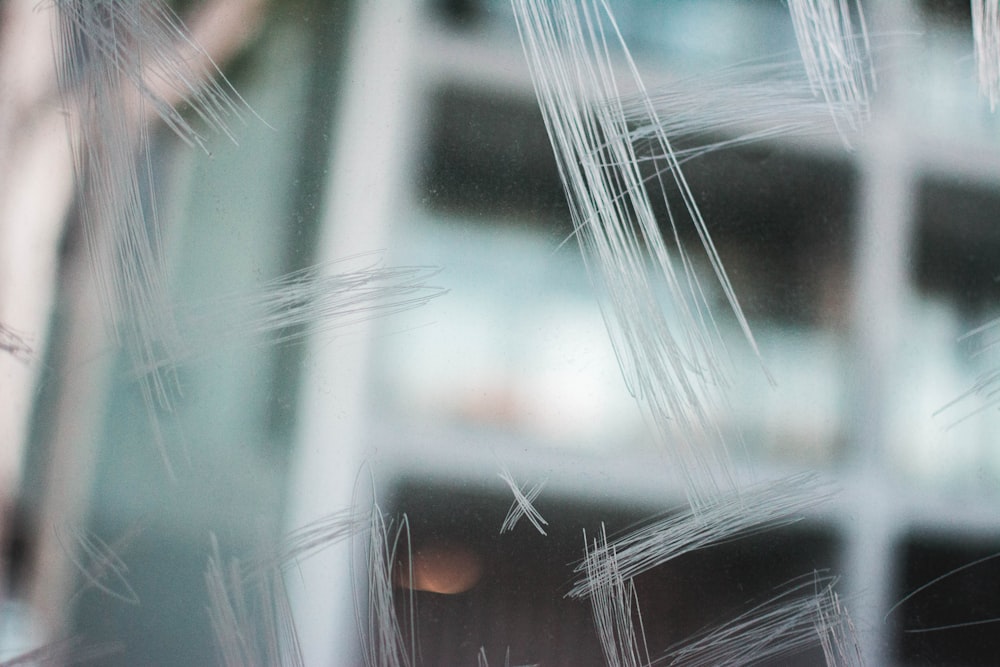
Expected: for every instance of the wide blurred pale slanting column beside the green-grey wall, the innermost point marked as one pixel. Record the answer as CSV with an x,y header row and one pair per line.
x,y
369,172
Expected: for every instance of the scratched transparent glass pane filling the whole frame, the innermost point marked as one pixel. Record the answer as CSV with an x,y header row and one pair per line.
x,y
401,145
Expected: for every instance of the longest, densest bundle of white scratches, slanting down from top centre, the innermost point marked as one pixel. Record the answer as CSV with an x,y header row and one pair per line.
x,y
656,310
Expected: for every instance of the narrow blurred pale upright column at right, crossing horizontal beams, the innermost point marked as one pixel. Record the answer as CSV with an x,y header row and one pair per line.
x,y
883,239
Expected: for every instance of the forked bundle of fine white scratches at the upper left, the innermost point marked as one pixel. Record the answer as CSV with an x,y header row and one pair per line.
x,y
119,62
